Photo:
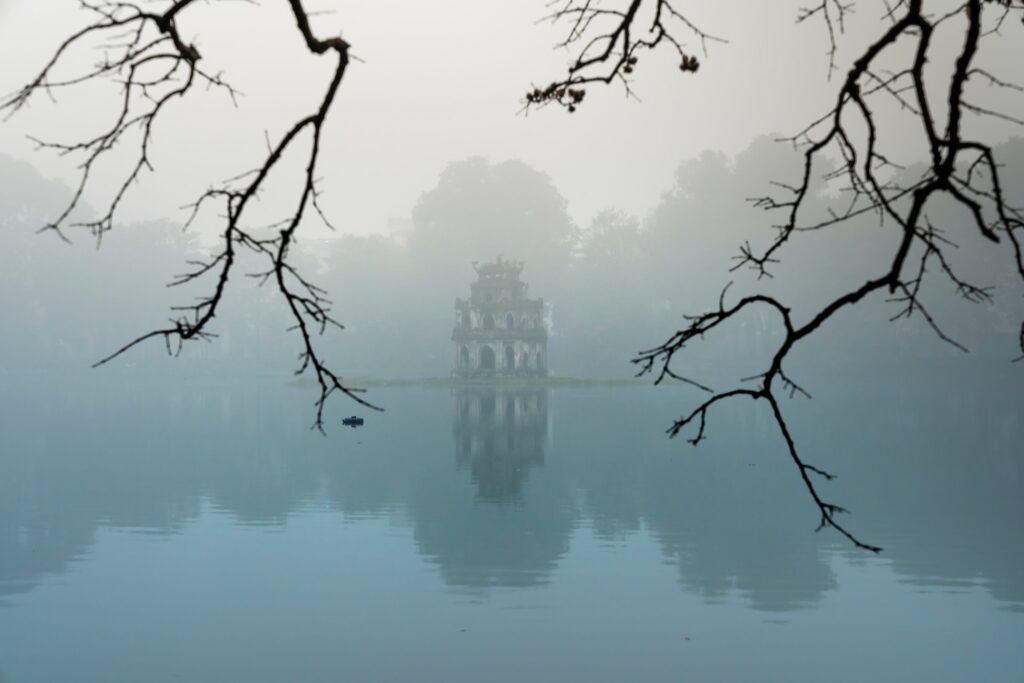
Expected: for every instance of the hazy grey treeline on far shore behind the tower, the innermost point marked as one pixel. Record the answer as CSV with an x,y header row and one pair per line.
x,y
614,287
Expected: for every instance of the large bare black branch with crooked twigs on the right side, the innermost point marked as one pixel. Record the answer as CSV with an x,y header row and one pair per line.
x,y
962,169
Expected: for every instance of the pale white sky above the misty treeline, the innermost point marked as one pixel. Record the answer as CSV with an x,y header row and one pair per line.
x,y
442,81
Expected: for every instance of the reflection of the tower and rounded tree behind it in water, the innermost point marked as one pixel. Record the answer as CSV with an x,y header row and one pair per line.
x,y
510,531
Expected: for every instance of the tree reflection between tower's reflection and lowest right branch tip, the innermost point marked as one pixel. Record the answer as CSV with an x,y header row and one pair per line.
x,y
729,515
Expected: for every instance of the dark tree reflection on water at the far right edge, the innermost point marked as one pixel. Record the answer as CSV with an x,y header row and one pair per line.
x,y
950,502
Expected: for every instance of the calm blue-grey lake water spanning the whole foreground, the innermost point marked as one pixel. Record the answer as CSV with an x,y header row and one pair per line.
x,y
196,531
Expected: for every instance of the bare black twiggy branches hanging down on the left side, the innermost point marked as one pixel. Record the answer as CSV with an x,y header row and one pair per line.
x,y
146,54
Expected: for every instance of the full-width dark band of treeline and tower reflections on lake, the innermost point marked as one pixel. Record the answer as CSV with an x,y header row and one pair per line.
x,y
493,498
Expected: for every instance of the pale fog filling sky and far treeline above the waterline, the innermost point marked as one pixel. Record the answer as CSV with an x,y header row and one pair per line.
x,y
626,214
